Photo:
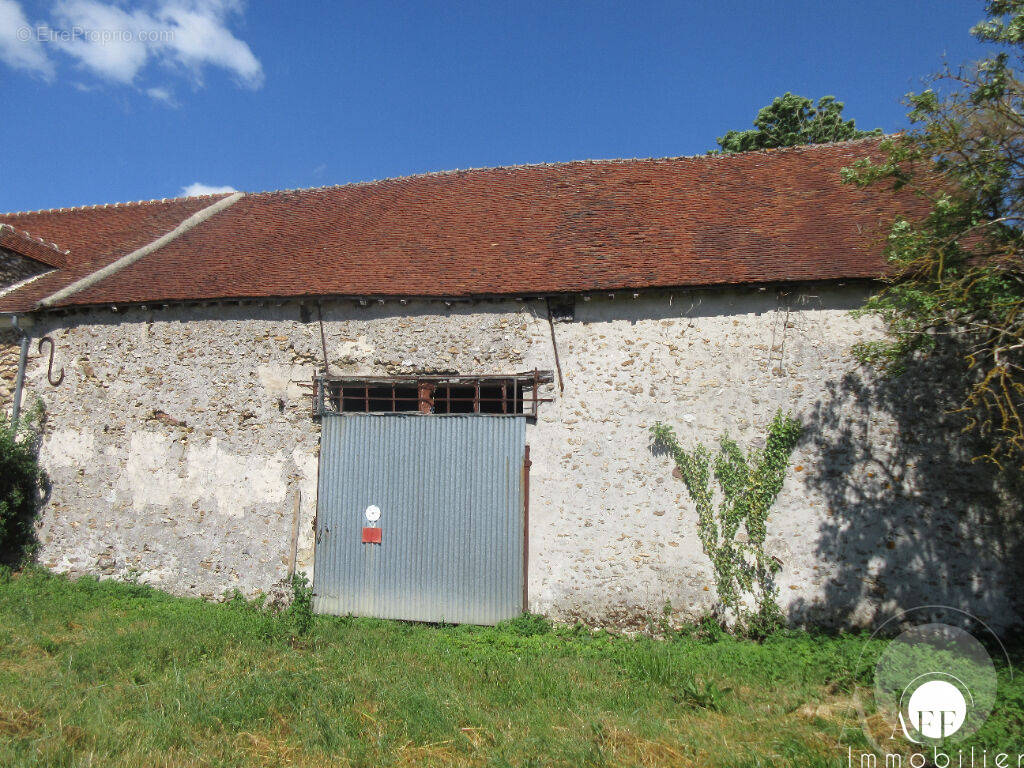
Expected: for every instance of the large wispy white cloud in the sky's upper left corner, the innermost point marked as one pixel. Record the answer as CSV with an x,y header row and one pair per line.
x,y
118,41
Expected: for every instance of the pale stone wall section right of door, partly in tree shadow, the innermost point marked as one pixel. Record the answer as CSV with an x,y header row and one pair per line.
x,y
879,513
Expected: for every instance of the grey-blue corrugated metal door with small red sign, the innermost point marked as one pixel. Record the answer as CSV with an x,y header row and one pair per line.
x,y
451,494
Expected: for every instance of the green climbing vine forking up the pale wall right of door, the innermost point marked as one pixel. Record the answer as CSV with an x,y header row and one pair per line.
x,y
749,487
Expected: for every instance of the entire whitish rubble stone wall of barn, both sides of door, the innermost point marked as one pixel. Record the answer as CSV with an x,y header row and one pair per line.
x,y
182,445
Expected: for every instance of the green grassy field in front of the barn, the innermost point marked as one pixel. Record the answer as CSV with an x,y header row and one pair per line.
x,y
107,674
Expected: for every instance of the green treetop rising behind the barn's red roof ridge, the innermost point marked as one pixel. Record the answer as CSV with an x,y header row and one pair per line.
x,y
792,120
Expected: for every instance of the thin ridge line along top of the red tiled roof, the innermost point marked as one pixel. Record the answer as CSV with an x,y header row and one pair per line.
x,y
710,156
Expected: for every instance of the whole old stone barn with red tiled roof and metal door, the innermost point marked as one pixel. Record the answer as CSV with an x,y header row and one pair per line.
x,y
434,395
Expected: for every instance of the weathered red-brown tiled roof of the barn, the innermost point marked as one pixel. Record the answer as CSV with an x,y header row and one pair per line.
x,y
757,218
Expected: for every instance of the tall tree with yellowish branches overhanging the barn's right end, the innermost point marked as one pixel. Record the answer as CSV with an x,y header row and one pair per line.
x,y
956,291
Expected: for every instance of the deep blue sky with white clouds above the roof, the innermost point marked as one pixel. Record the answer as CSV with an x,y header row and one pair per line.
x,y
130,101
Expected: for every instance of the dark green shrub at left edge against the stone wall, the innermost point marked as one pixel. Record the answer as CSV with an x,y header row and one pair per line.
x,y
22,482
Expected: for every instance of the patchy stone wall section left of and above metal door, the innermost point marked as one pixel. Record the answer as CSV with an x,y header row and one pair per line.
x,y
182,441
